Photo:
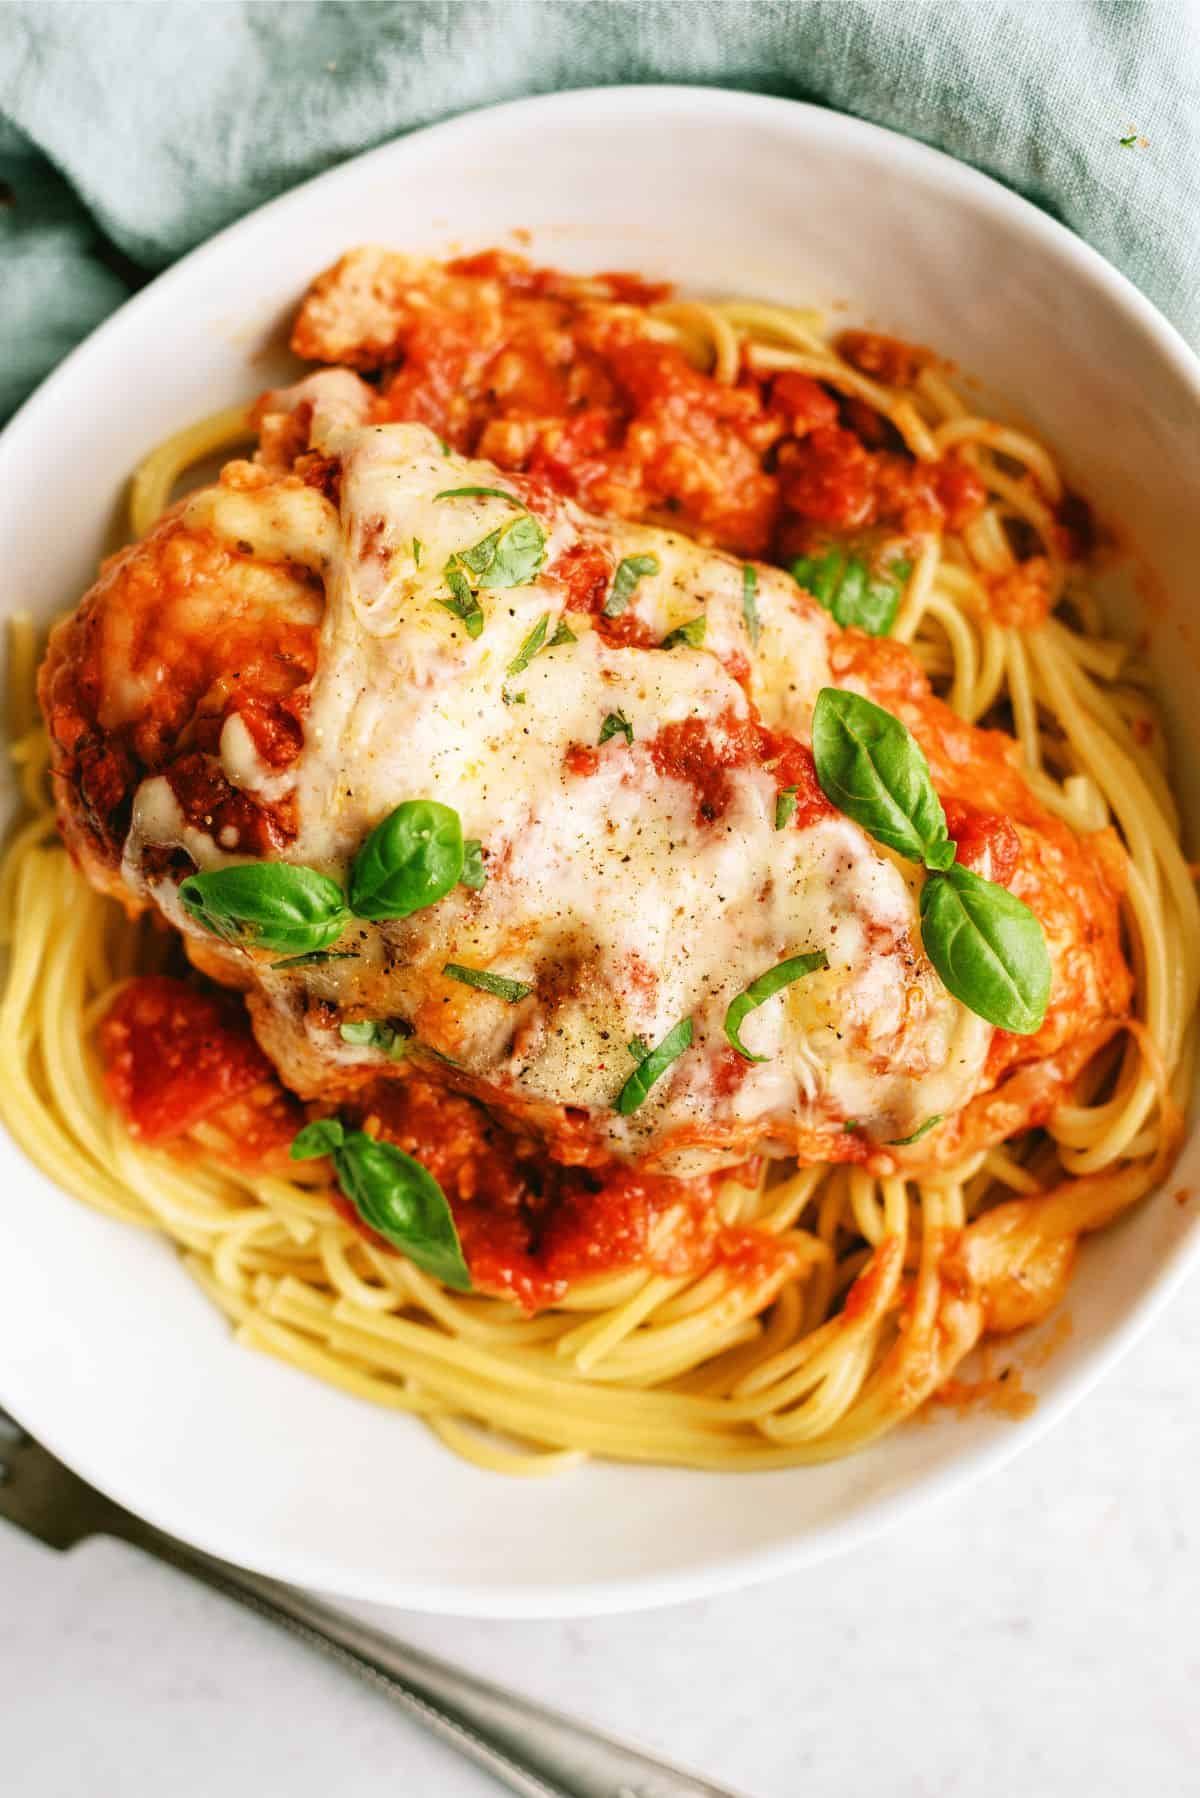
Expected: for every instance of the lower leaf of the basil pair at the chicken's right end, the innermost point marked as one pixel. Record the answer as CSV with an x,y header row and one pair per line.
x,y
989,950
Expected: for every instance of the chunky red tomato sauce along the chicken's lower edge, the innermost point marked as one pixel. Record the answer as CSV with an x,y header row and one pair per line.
x,y
181,1055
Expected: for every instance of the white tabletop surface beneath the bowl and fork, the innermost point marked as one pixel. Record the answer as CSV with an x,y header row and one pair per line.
x,y
1039,1637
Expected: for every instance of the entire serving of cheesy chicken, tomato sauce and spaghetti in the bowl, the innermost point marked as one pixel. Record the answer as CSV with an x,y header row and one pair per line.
x,y
636,839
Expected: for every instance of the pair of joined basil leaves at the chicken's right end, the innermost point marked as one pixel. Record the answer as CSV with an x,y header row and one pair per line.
x,y
987,947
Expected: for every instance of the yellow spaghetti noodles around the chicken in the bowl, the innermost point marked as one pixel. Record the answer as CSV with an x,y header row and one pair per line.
x,y
890,1281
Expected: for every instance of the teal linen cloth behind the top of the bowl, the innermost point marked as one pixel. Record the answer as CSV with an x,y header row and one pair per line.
x,y
130,132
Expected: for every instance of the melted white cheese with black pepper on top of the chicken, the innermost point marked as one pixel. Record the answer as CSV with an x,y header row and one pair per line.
x,y
607,893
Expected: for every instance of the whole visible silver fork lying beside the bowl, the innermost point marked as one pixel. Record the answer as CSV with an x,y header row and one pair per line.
x,y
535,1752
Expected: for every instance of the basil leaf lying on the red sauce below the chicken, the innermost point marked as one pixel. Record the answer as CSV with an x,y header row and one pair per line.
x,y
404,1204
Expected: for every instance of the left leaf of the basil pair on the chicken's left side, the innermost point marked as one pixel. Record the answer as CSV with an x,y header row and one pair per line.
x,y
267,905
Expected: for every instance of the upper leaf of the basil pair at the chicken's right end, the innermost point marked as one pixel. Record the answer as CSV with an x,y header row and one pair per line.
x,y
872,769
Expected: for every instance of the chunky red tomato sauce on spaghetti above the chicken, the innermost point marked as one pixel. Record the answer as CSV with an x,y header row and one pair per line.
x,y
542,373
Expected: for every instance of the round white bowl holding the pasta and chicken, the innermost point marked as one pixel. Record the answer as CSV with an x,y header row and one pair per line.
x,y
107,1351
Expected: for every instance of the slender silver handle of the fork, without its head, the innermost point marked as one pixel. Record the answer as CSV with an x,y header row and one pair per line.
x,y
535,1752
